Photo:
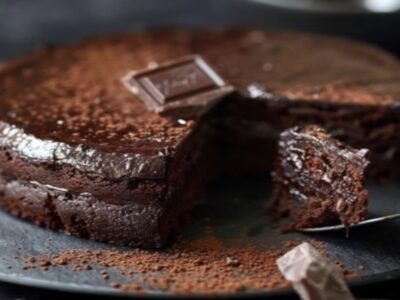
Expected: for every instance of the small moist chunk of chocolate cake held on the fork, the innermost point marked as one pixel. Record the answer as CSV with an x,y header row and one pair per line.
x,y
319,180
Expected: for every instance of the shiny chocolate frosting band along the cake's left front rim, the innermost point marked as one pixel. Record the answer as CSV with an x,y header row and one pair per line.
x,y
83,158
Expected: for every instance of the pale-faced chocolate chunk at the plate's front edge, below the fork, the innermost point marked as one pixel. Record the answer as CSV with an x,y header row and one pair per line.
x,y
313,276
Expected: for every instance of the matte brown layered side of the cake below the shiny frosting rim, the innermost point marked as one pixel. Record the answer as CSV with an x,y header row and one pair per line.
x,y
86,204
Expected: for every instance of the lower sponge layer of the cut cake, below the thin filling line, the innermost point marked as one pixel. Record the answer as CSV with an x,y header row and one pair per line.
x,y
146,224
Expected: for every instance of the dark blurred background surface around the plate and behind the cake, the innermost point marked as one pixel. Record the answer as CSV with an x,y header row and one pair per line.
x,y
28,24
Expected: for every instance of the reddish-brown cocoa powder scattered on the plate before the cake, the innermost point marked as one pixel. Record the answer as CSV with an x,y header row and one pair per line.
x,y
202,266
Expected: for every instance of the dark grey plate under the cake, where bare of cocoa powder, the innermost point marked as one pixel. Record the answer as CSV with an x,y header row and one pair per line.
x,y
233,211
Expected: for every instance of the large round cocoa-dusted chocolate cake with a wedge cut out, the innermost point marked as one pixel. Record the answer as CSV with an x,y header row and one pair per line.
x,y
83,151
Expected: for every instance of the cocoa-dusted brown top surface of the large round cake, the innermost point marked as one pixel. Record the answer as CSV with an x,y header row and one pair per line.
x,y
74,94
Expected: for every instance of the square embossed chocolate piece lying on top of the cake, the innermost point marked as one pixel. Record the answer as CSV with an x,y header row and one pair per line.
x,y
181,87
